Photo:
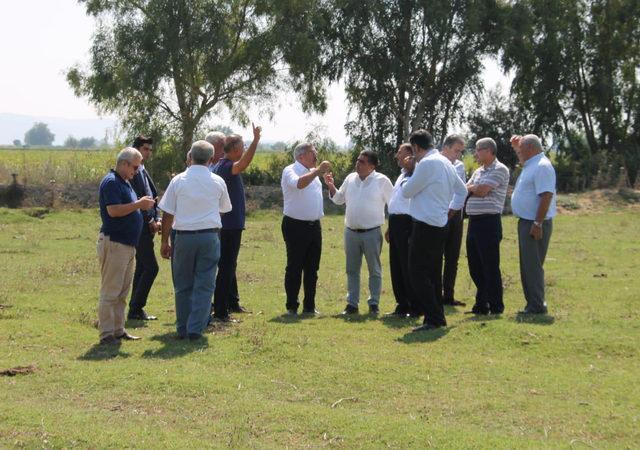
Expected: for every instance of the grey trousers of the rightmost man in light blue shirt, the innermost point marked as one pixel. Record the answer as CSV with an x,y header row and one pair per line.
x,y
532,255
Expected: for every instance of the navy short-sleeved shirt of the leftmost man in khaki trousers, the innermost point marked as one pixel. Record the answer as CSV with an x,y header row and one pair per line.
x,y
114,190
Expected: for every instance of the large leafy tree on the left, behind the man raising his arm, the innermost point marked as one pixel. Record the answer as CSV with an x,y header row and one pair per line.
x,y
165,65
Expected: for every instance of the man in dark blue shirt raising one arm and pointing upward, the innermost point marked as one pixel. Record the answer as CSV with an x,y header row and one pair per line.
x,y
233,163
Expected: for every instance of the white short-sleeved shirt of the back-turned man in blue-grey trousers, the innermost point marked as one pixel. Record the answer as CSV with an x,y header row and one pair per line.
x,y
195,198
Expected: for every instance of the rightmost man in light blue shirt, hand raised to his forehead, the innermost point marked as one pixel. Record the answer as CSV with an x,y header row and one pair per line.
x,y
534,202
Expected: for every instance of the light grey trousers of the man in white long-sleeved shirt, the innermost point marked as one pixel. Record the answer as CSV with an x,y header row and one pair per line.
x,y
369,244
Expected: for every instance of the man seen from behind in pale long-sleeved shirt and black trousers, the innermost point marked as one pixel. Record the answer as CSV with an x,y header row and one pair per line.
x,y
431,189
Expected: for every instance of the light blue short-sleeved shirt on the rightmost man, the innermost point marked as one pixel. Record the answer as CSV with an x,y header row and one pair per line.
x,y
537,176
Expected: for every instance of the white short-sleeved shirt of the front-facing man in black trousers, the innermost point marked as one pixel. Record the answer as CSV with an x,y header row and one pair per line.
x,y
301,204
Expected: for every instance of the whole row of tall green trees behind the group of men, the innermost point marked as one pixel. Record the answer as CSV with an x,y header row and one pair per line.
x,y
165,66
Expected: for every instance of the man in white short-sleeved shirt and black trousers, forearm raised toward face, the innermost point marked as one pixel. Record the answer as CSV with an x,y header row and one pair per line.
x,y
301,230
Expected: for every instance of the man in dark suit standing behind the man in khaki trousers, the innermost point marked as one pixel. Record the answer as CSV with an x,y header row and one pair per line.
x,y
146,263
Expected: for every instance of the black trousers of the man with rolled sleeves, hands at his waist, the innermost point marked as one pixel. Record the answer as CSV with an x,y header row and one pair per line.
x,y
425,252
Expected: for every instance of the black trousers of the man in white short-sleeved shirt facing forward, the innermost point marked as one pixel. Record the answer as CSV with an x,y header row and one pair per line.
x,y
303,240
